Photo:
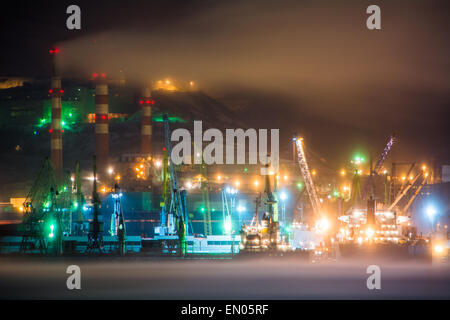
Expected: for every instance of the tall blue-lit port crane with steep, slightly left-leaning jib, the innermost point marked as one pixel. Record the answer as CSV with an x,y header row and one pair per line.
x,y
178,197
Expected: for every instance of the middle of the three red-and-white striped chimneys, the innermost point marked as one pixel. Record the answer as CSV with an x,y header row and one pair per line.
x,y
101,122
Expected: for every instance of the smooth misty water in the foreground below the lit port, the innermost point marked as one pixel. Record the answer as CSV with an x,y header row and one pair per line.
x,y
256,278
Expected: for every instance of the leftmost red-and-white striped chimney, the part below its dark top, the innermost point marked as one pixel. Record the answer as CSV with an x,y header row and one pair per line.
x,y
56,129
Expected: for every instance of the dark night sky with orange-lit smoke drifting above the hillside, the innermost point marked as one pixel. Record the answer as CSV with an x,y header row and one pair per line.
x,y
306,66
